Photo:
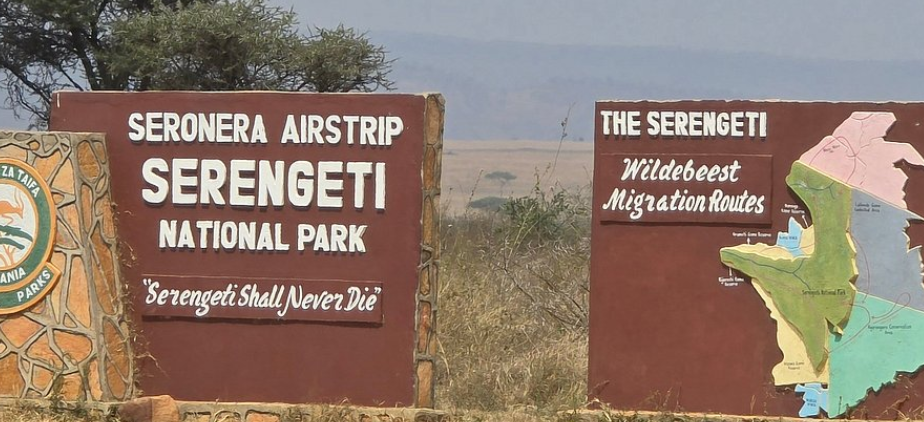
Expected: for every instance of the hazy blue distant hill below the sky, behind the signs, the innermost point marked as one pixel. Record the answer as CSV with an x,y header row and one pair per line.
x,y
511,90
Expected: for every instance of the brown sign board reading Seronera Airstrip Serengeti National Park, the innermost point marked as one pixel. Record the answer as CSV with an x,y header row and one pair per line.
x,y
272,242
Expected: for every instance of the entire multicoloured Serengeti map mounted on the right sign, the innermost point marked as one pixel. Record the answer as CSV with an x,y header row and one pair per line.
x,y
852,304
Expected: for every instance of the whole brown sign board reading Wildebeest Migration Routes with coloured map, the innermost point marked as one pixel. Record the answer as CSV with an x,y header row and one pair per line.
x,y
810,304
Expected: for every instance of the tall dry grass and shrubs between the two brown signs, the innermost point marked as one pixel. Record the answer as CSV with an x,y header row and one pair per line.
x,y
513,304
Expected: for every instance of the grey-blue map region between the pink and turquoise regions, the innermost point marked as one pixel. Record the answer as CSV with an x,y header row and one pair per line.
x,y
887,268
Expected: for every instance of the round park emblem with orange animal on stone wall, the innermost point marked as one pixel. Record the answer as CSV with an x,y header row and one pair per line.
x,y
27,233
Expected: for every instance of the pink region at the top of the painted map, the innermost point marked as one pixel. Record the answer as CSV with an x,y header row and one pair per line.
x,y
858,155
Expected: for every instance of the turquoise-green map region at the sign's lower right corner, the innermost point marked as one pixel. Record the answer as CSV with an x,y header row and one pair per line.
x,y
880,340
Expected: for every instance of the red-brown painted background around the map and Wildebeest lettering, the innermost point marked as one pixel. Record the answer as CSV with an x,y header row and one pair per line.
x,y
665,334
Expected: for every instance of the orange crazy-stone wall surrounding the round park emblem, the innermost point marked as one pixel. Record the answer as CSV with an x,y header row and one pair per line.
x,y
74,344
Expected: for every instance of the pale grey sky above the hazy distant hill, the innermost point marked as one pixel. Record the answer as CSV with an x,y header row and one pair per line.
x,y
844,30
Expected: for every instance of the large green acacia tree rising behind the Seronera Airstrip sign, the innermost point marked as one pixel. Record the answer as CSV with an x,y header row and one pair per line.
x,y
49,45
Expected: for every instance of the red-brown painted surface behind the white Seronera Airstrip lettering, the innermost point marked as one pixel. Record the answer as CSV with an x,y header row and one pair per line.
x,y
242,353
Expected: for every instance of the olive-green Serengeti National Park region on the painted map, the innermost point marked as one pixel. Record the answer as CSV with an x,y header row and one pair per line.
x,y
814,290
